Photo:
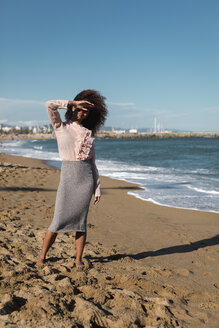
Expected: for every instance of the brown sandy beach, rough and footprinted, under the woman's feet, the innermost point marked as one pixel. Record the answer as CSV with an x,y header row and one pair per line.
x,y
145,265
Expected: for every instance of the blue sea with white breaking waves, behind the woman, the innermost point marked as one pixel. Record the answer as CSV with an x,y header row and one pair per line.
x,y
181,173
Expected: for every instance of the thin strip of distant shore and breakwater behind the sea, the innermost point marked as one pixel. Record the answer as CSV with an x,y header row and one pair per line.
x,y
112,135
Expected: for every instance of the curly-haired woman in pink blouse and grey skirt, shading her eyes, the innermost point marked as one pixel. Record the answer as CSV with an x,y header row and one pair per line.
x,y
79,176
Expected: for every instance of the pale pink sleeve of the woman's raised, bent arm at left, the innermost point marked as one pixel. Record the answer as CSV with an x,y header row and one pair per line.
x,y
52,106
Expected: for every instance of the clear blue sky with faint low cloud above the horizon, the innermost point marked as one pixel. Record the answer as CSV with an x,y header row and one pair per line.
x,y
150,58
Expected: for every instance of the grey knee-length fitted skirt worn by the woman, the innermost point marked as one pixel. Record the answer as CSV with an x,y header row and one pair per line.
x,y
73,197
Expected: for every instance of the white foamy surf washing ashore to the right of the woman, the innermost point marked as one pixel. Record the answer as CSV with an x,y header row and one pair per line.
x,y
166,186
